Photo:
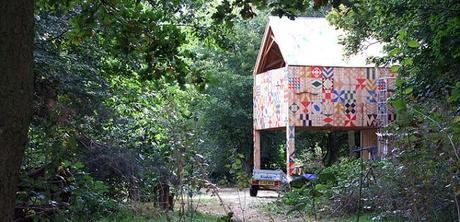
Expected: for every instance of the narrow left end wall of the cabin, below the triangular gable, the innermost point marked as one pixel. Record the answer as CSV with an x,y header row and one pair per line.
x,y
270,99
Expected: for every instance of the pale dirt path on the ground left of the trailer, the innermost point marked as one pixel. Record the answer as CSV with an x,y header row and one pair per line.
x,y
242,204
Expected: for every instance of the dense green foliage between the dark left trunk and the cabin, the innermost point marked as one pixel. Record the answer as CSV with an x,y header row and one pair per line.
x,y
108,129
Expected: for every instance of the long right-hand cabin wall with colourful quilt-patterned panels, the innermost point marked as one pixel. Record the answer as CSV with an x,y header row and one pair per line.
x,y
340,97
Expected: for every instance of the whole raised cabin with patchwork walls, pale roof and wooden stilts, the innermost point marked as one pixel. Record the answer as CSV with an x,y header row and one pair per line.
x,y
302,81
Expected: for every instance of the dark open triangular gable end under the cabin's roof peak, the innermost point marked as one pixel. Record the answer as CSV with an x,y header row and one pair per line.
x,y
270,56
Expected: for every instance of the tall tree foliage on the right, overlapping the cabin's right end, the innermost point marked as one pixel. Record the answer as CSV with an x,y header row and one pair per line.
x,y
422,42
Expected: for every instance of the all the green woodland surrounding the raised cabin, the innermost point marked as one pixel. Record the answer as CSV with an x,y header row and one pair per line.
x,y
130,96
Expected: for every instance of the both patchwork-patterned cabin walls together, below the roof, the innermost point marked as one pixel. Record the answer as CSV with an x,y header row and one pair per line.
x,y
321,97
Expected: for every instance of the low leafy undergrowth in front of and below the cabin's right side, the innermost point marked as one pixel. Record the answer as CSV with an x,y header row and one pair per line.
x,y
386,194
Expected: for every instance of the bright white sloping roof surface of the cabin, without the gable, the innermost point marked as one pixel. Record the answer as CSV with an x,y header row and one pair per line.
x,y
314,41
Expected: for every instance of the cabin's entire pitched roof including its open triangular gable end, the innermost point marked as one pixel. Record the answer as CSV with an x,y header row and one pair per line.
x,y
308,41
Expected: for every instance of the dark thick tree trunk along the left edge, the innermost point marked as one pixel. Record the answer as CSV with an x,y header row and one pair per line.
x,y
16,87
